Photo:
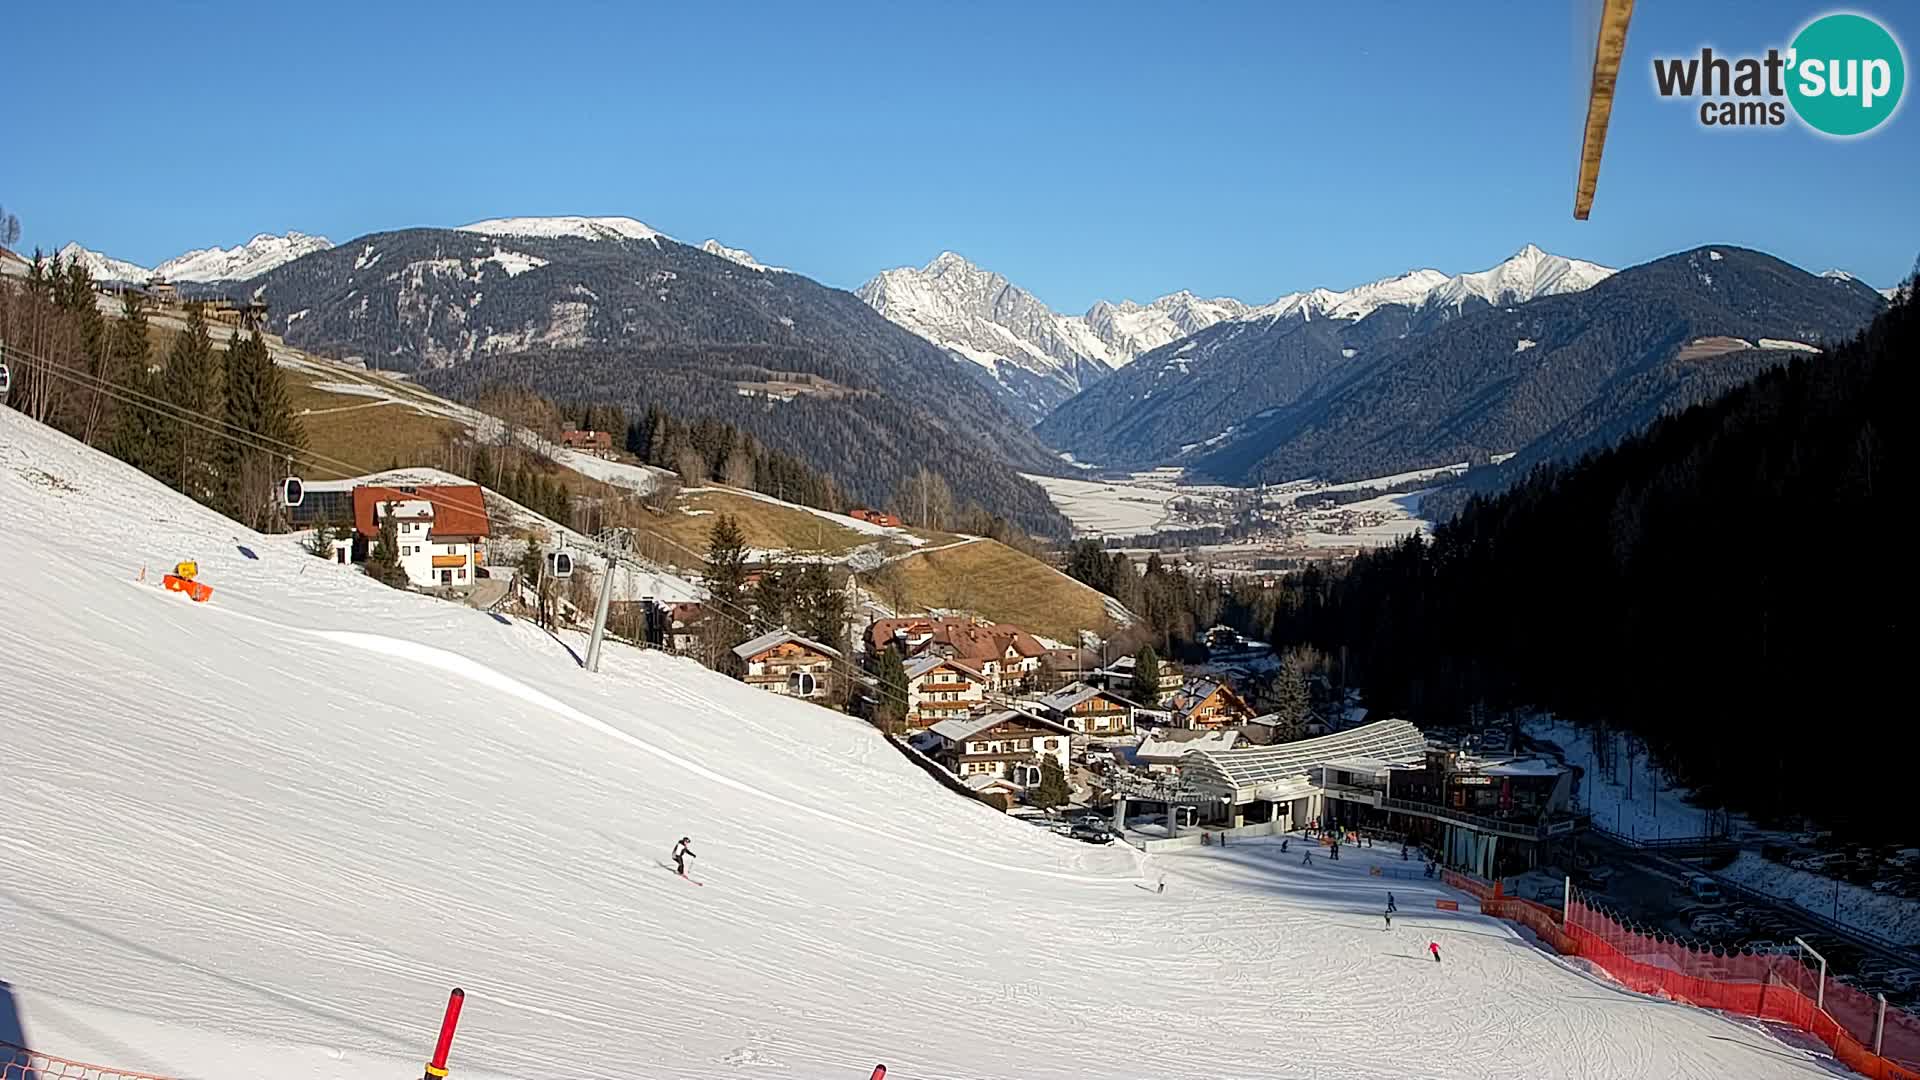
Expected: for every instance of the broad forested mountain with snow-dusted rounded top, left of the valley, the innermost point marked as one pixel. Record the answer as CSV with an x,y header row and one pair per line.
x,y
640,320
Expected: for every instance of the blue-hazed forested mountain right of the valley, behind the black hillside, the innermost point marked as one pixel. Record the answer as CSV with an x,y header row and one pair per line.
x,y
1556,376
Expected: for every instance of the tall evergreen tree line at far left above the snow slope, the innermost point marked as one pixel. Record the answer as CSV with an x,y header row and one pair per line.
x,y
228,433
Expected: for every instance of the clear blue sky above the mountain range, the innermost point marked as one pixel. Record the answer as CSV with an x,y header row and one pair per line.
x,y
1084,151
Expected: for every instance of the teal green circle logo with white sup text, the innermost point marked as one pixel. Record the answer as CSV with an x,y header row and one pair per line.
x,y
1846,74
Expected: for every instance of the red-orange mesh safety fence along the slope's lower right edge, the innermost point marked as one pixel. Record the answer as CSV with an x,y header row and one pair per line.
x,y
1771,987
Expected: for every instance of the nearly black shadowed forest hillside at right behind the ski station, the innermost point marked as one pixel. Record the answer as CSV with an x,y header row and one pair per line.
x,y
1723,585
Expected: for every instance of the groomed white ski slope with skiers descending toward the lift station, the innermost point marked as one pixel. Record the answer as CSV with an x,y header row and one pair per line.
x,y
268,833
